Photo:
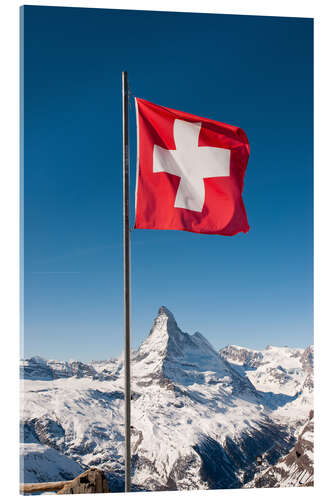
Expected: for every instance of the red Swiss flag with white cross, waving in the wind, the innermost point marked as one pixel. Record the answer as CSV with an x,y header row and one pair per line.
x,y
190,172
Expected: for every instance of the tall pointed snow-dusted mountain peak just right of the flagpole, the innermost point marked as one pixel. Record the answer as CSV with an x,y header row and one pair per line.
x,y
168,353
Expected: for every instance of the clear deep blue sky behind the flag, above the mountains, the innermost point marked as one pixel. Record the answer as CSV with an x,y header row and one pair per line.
x,y
249,71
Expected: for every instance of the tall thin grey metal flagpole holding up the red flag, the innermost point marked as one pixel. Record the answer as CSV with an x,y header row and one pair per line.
x,y
126,244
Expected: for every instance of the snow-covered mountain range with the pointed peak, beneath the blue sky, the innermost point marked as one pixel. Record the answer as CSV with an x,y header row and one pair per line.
x,y
200,418
